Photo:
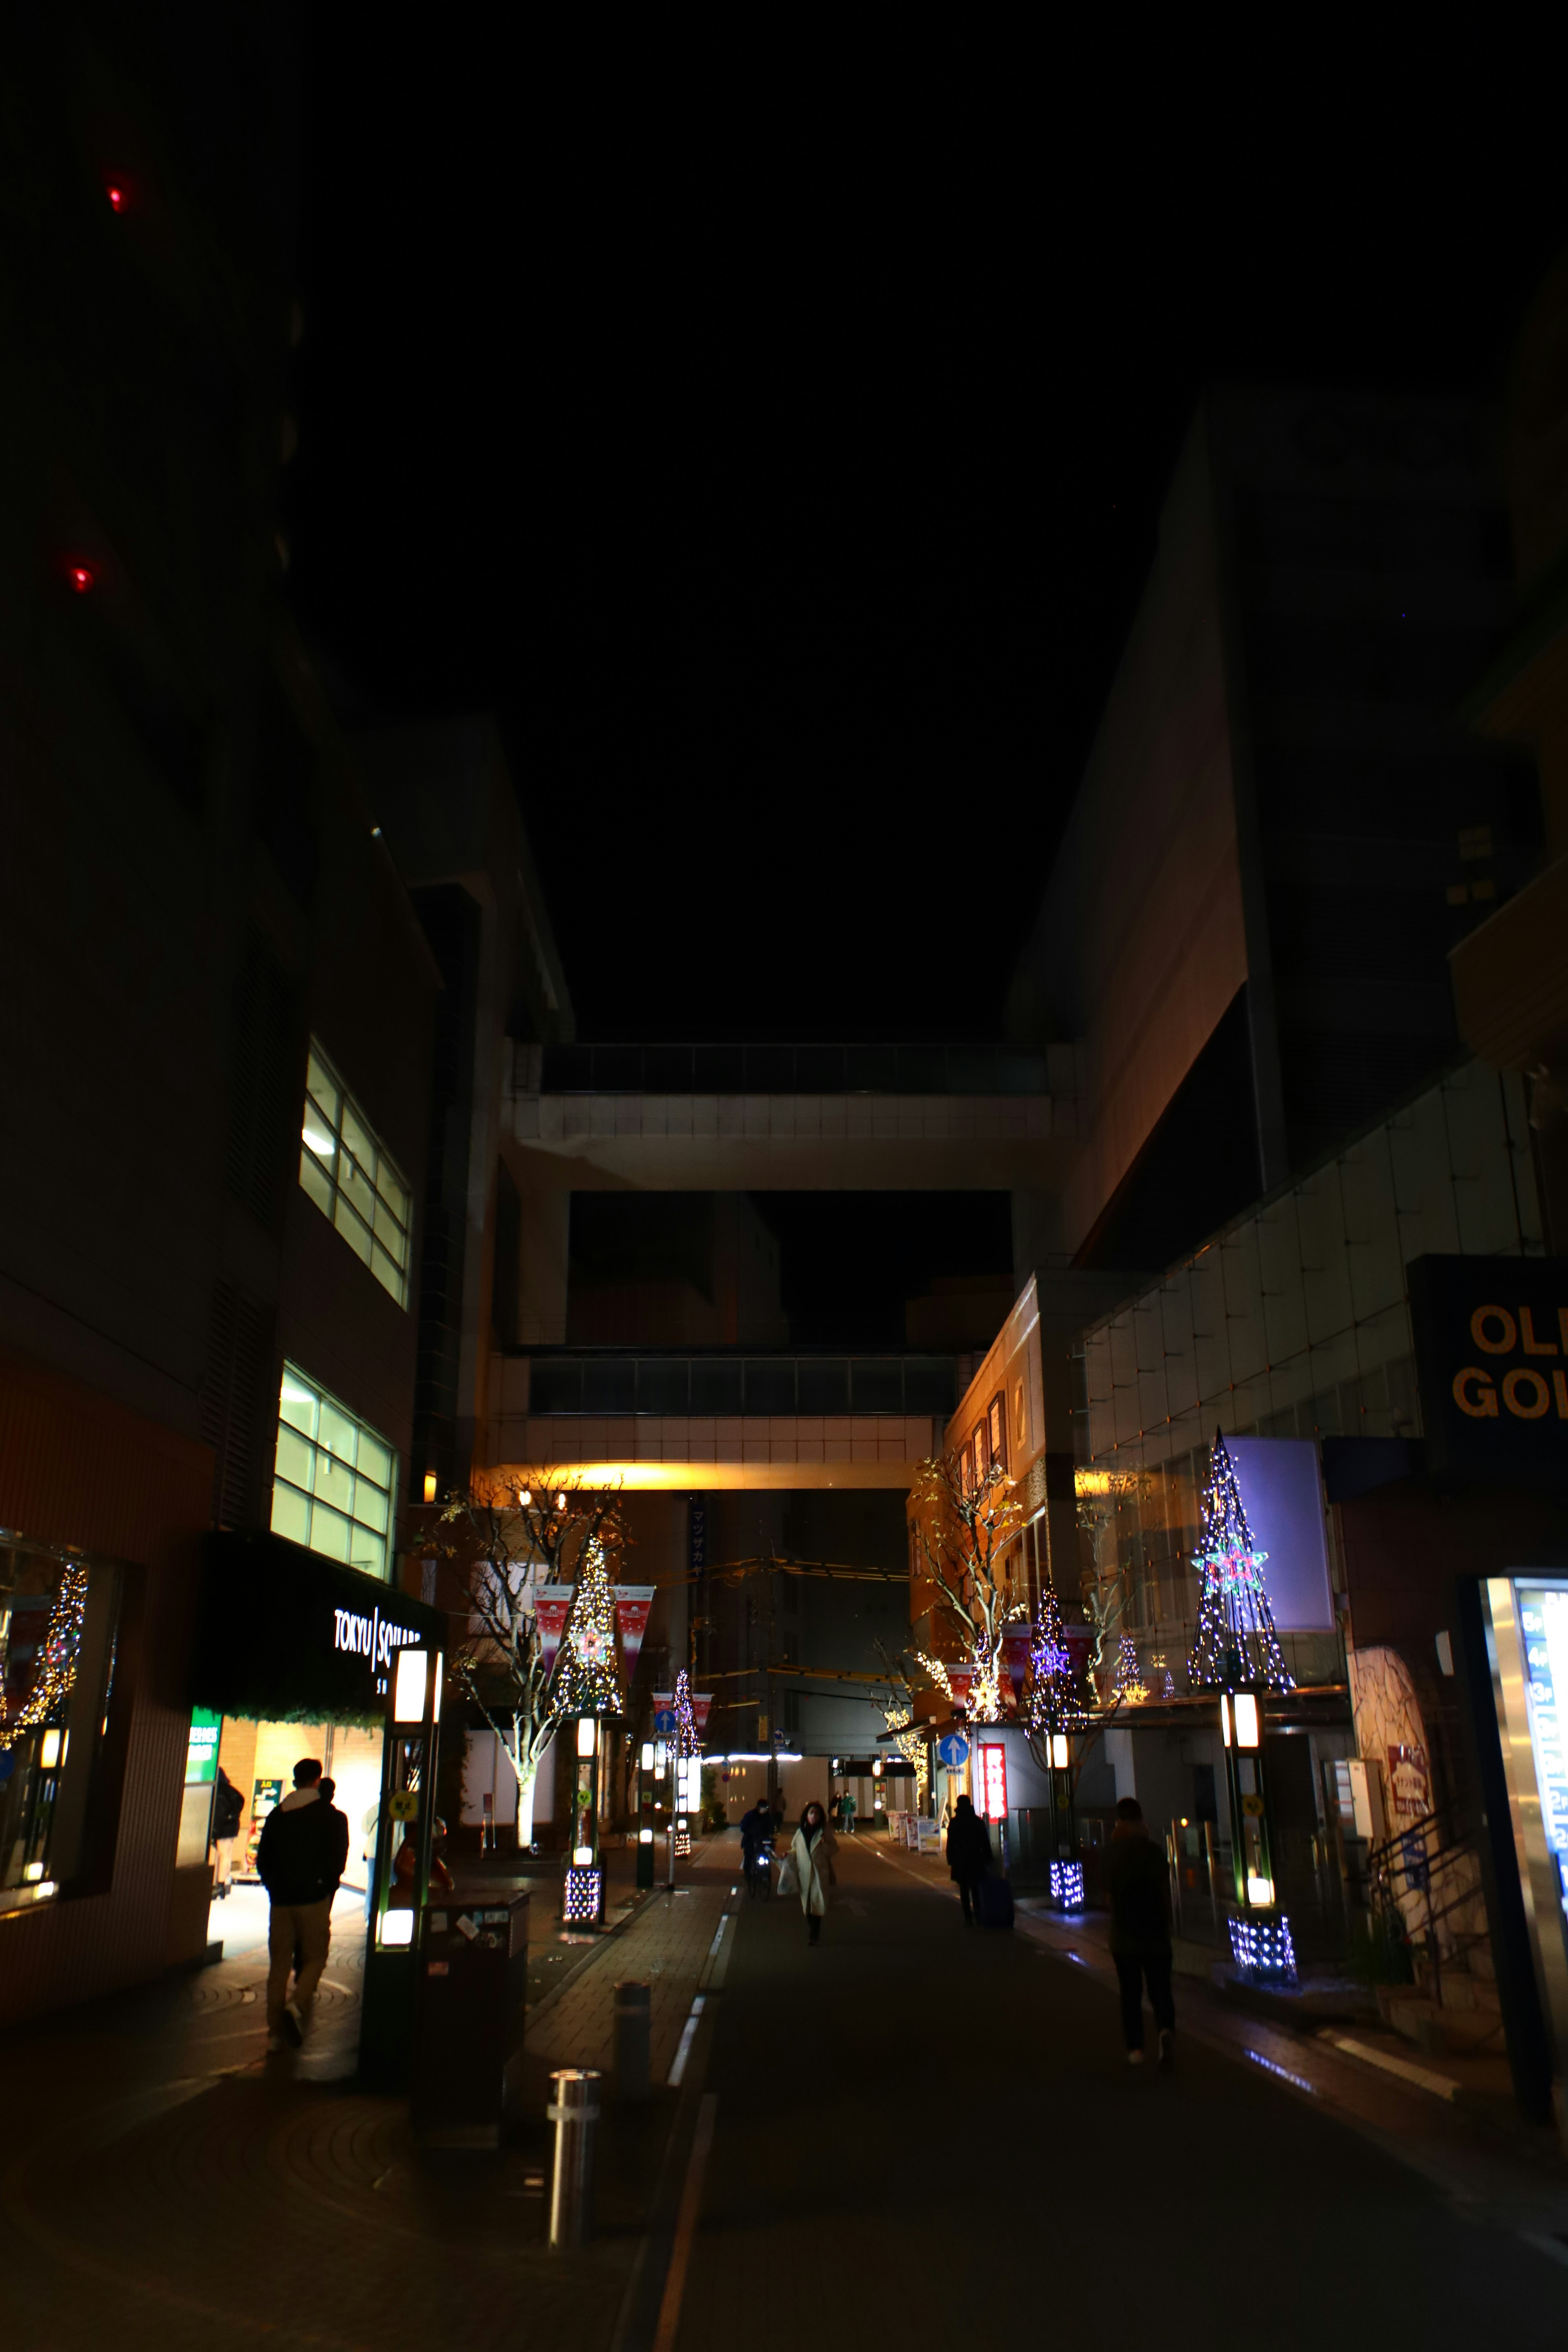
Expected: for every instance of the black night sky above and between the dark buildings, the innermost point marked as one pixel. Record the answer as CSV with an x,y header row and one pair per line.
x,y
786,481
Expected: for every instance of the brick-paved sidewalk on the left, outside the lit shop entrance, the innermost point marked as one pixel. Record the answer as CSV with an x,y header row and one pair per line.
x,y
170,2186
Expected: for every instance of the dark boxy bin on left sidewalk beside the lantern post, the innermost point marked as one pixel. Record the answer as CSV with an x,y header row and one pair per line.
x,y
474,1986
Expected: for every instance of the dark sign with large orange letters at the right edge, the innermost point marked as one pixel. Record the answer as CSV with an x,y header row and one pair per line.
x,y
1492,1356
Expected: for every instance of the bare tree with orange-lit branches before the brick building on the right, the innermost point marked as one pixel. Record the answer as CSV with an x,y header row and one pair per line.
x,y
963,1535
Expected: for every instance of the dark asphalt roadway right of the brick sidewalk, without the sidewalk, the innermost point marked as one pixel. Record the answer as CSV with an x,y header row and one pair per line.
x,y
925,2132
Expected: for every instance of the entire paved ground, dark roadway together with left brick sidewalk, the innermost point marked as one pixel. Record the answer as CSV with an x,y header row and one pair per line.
x,y
911,2127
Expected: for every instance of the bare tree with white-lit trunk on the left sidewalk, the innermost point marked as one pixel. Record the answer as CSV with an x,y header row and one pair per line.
x,y
507,1542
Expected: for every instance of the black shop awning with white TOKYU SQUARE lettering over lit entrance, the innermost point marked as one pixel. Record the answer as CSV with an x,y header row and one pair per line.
x,y
286,1636
